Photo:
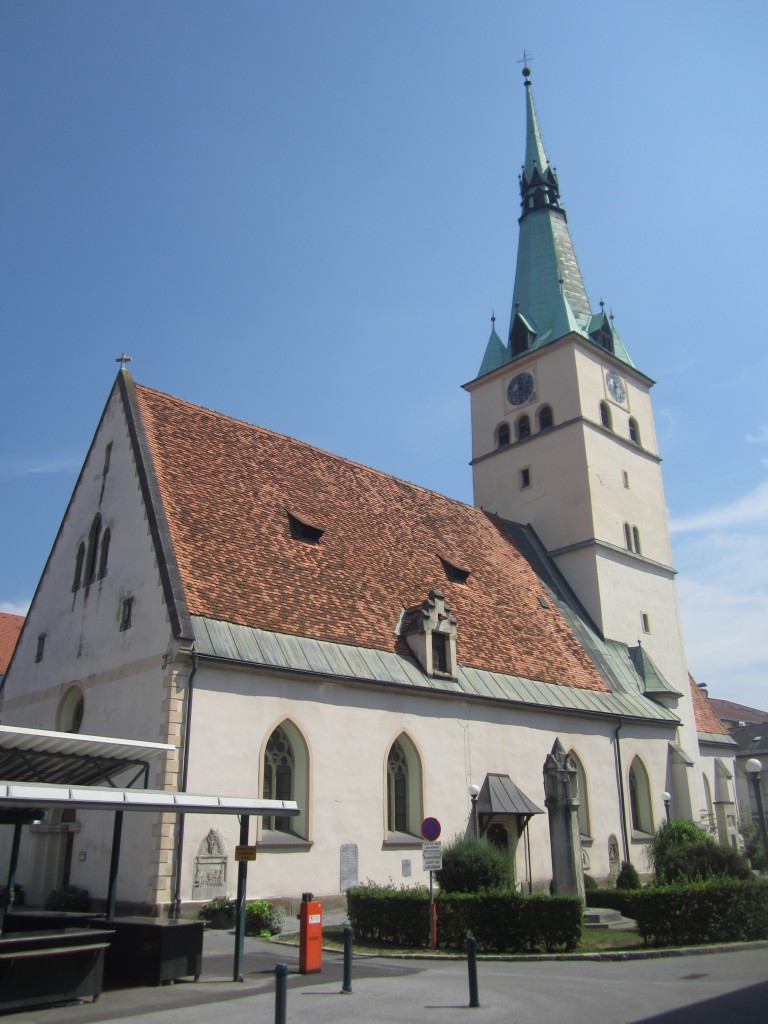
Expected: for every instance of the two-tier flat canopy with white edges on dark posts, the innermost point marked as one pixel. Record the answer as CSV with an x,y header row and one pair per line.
x,y
40,770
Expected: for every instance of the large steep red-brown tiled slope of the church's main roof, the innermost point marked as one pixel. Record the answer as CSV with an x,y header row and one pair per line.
x,y
228,489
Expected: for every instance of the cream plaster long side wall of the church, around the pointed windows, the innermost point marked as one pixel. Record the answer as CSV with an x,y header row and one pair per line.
x,y
349,733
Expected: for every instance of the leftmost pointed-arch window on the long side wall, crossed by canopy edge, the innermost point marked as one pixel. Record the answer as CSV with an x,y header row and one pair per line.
x,y
286,775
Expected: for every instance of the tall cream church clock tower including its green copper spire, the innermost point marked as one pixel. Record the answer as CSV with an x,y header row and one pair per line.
x,y
564,436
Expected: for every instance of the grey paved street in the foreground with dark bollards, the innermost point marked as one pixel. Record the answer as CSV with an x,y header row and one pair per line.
x,y
719,988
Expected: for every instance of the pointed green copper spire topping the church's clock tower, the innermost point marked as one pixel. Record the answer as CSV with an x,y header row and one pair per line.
x,y
549,300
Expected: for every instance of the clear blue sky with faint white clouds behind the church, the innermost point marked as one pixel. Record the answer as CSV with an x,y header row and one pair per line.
x,y
304,214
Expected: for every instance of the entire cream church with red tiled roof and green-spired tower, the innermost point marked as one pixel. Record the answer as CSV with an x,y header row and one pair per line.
x,y
300,626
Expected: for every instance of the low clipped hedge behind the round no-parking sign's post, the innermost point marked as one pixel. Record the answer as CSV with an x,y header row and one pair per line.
x,y
500,920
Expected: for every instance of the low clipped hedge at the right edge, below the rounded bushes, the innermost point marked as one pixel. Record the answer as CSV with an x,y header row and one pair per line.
x,y
715,911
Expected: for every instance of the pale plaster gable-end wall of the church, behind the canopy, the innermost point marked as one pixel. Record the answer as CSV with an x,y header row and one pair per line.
x,y
120,673
